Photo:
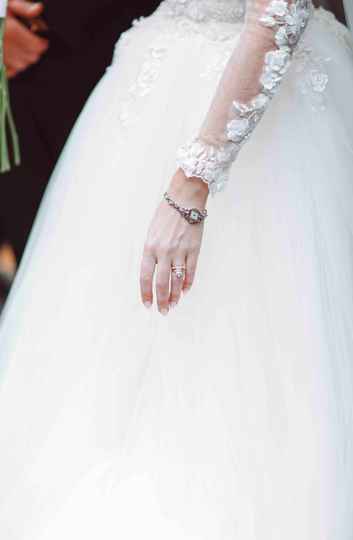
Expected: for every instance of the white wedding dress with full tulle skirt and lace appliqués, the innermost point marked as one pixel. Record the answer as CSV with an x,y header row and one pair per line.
x,y
232,418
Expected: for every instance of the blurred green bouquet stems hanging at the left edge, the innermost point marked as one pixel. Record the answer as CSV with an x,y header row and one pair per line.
x,y
8,132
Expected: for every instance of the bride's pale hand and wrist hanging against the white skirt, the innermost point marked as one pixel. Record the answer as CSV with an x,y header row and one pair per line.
x,y
171,240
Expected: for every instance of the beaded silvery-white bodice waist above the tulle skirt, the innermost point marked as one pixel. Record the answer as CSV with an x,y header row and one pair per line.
x,y
207,10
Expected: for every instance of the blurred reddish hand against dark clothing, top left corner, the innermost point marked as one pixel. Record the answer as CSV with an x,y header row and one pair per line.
x,y
22,47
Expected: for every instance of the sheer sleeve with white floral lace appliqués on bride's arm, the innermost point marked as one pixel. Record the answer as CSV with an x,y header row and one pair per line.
x,y
252,77
